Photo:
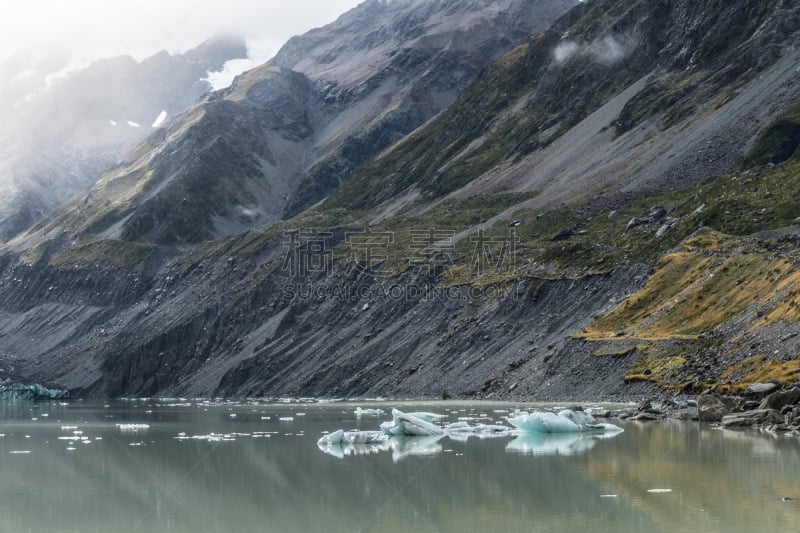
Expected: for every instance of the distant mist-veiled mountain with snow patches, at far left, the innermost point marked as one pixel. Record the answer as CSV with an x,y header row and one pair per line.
x,y
62,129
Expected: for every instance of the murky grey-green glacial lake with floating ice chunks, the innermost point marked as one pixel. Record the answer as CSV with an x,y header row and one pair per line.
x,y
203,466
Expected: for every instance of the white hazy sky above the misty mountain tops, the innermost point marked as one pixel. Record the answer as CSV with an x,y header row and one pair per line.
x,y
89,29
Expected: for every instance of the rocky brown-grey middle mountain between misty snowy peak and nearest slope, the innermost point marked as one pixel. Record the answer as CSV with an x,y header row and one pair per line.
x,y
287,132
